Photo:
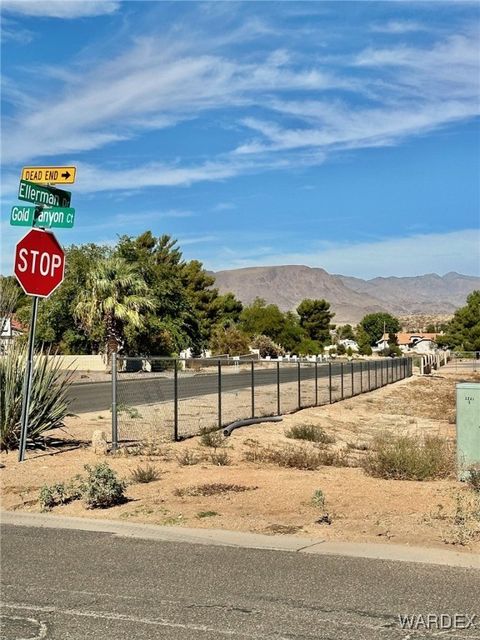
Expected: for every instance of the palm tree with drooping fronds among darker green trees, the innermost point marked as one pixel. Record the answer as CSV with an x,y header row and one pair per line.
x,y
114,296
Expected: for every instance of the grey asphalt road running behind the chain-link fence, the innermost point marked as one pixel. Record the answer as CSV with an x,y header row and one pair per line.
x,y
97,396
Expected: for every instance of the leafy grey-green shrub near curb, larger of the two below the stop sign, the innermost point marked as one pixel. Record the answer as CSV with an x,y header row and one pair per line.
x,y
101,488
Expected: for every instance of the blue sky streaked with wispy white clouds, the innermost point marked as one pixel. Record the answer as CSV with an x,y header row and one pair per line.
x,y
342,135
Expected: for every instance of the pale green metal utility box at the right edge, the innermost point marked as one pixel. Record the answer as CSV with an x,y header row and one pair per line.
x,y
468,427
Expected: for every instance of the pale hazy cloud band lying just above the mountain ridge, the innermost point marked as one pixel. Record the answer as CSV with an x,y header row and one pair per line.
x,y
406,256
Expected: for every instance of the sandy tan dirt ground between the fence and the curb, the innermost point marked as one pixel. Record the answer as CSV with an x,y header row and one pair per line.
x,y
277,500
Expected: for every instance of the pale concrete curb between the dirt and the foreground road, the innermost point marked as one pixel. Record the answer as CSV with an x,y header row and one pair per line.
x,y
220,537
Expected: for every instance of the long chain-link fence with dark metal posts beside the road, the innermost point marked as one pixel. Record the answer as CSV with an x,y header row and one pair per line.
x,y
167,398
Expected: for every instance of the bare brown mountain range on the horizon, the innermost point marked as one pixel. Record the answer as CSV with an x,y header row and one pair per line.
x,y
350,298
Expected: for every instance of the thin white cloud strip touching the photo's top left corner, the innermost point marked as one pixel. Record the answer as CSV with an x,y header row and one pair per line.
x,y
65,9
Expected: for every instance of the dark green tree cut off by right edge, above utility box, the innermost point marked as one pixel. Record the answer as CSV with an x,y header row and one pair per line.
x,y
463,331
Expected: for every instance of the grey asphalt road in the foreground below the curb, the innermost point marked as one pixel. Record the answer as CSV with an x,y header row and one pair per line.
x,y
75,585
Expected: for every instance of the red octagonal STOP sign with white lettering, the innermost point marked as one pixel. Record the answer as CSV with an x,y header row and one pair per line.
x,y
39,263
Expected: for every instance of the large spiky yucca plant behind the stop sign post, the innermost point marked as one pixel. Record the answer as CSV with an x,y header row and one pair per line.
x,y
48,400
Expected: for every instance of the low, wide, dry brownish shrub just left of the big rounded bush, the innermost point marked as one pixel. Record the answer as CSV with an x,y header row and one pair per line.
x,y
298,457
